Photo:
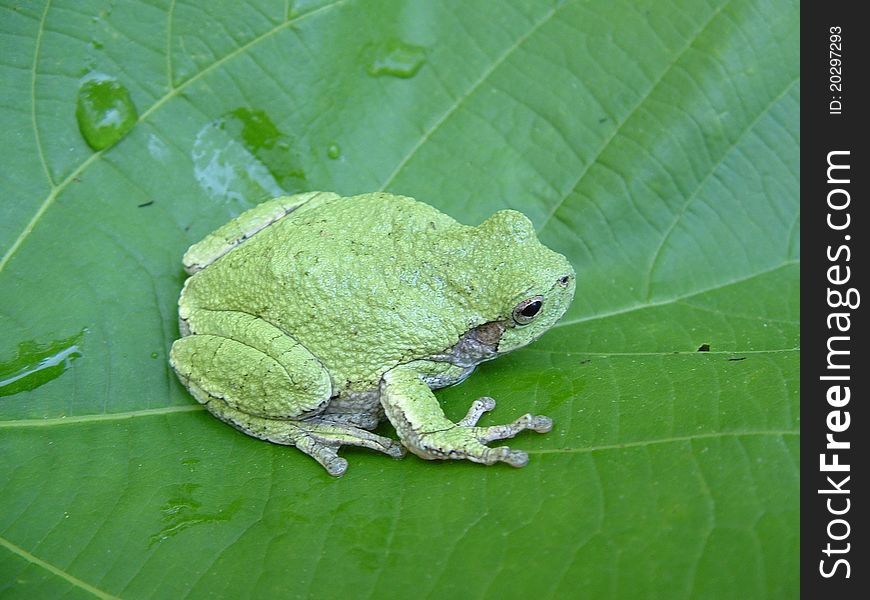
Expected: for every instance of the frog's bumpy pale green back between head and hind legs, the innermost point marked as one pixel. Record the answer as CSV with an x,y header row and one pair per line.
x,y
357,280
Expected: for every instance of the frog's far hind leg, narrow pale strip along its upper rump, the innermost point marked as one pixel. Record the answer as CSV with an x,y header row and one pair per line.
x,y
247,224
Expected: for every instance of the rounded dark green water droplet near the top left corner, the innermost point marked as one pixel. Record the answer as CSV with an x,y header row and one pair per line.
x,y
104,111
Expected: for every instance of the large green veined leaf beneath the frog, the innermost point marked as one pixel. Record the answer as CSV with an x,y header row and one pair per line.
x,y
654,143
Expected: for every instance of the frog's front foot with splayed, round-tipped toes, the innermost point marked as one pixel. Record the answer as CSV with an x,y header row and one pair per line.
x,y
466,440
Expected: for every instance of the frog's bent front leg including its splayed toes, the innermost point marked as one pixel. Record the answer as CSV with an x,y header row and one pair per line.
x,y
416,414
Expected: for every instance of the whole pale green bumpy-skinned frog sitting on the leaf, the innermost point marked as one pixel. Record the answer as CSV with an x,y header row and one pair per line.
x,y
309,319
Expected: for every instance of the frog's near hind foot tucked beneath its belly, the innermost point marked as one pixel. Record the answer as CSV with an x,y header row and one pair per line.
x,y
321,438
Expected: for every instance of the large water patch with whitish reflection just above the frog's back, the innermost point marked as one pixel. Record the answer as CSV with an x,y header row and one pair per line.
x,y
243,157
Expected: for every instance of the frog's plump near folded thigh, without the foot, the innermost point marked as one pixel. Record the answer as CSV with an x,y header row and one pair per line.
x,y
250,365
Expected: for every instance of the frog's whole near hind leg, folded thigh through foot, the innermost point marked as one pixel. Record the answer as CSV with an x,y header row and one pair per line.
x,y
260,380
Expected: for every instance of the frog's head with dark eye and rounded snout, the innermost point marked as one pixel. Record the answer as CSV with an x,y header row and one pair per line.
x,y
536,284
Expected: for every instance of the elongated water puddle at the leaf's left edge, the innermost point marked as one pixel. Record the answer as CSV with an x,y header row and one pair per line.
x,y
37,364
